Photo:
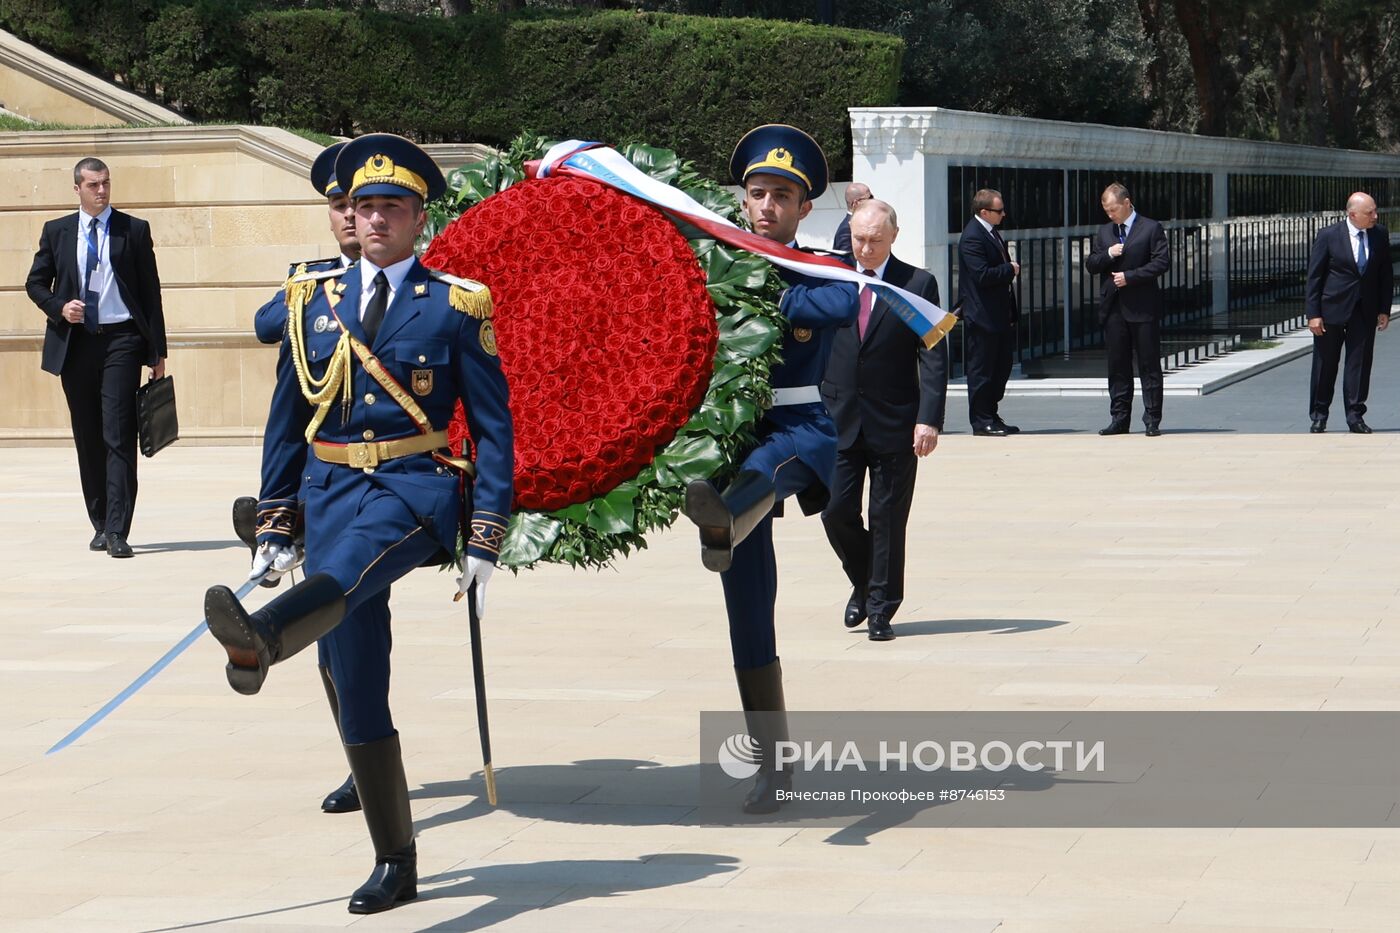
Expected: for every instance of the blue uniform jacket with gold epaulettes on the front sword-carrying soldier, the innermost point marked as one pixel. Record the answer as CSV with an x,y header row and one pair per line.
x,y
437,355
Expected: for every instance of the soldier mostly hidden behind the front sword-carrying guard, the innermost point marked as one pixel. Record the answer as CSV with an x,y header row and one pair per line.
x,y
271,327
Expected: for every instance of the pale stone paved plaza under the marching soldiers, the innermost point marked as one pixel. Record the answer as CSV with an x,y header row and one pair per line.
x,y
1203,571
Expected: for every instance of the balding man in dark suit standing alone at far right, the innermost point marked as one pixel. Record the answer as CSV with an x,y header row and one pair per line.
x,y
1350,286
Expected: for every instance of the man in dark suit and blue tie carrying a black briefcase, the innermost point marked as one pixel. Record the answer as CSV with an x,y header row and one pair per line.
x,y
94,277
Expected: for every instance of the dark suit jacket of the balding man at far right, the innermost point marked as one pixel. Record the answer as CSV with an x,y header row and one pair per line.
x,y
1336,289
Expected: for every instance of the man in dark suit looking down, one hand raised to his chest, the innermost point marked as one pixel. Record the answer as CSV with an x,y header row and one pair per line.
x,y
1130,253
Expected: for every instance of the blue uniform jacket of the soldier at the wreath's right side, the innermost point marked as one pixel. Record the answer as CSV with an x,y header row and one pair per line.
x,y
814,307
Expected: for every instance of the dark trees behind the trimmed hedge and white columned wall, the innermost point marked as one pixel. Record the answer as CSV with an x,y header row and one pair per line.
x,y
1321,72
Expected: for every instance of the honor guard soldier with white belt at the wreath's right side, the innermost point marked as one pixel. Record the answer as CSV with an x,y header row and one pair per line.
x,y
782,172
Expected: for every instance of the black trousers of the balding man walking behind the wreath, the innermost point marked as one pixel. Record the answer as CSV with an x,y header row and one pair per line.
x,y
873,557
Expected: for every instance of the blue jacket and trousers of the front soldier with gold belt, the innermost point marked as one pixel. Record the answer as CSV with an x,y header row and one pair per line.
x,y
367,526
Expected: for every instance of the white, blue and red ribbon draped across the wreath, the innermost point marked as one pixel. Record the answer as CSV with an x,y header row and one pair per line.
x,y
610,167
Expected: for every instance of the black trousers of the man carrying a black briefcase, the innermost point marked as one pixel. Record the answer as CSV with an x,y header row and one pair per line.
x,y
100,380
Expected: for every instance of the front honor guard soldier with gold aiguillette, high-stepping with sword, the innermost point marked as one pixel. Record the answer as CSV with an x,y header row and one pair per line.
x,y
380,352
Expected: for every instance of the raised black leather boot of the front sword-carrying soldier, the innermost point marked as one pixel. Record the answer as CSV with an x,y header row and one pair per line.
x,y
275,633
